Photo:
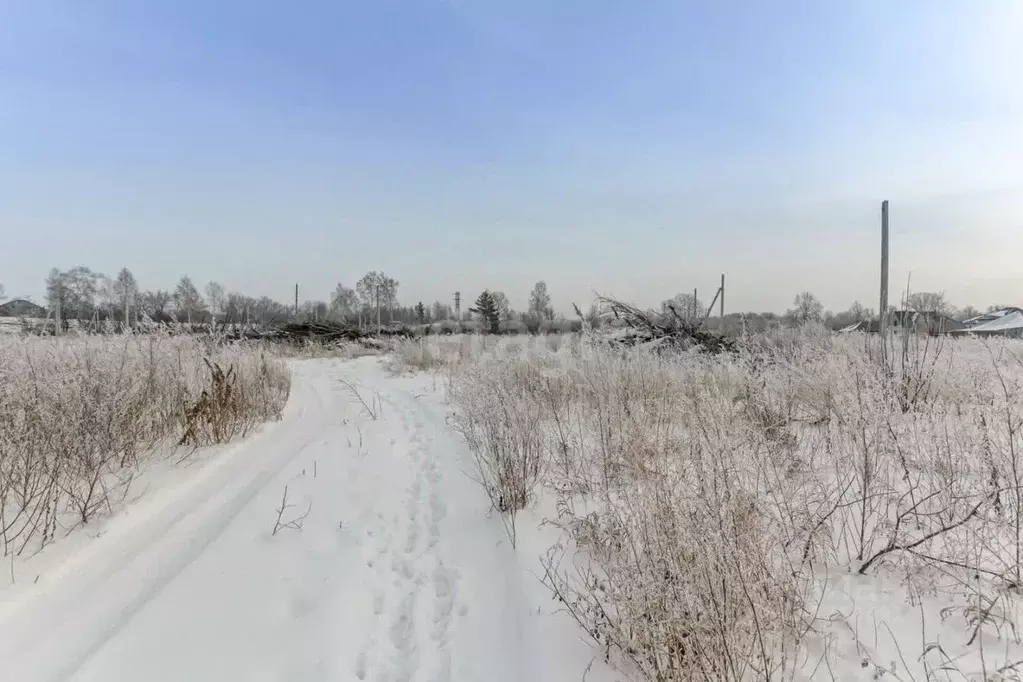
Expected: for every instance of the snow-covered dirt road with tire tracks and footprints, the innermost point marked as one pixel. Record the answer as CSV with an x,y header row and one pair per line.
x,y
397,574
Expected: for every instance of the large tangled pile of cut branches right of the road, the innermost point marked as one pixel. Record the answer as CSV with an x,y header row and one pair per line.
x,y
669,332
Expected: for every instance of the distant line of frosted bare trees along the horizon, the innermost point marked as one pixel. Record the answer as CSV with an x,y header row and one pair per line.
x,y
82,294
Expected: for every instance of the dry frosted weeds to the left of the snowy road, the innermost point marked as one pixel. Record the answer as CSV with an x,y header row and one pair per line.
x,y
78,416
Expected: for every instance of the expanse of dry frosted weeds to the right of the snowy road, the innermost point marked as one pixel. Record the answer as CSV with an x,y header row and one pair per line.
x,y
707,503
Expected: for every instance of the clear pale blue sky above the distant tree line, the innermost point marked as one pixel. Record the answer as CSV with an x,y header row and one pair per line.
x,y
636,149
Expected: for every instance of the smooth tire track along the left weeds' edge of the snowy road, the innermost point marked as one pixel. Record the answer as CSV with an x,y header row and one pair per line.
x,y
156,551
